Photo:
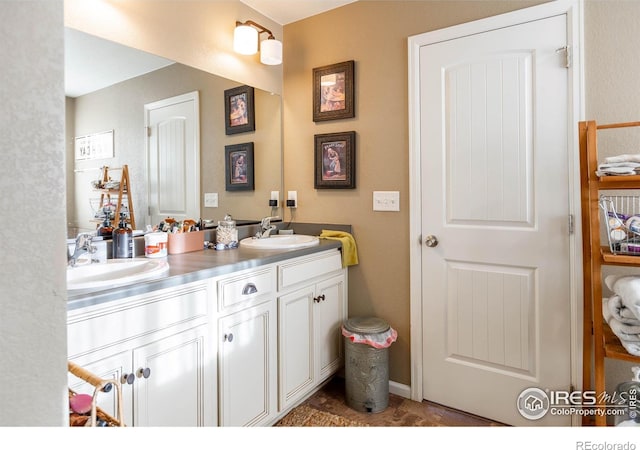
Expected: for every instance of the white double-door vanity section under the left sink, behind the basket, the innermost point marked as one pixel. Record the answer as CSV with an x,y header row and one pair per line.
x,y
158,345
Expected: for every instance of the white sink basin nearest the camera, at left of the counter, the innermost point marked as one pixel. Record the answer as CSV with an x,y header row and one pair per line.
x,y
114,272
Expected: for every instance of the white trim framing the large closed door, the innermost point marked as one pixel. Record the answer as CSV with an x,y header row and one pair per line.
x,y
574,11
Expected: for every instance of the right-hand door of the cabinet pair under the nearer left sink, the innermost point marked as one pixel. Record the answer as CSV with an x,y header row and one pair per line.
x,y
171,387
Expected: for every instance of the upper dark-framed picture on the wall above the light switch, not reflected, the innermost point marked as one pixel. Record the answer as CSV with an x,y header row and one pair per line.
x,y
333,92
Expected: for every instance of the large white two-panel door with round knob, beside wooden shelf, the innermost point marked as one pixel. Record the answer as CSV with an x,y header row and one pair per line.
x,y
495,194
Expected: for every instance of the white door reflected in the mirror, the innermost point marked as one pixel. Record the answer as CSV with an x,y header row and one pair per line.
x,y
173,155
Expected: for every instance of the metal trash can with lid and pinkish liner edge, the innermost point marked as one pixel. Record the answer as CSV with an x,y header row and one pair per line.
x,y
367,341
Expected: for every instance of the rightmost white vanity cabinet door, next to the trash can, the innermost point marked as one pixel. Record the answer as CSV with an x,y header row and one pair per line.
x,y
328,316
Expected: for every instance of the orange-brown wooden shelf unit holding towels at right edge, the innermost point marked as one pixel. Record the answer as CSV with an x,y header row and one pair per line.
x,y
598,340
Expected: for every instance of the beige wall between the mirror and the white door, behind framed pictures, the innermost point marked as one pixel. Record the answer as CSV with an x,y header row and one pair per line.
x,y
374,34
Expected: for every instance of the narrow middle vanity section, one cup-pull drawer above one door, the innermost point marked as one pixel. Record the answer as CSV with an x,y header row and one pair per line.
x,y
247,346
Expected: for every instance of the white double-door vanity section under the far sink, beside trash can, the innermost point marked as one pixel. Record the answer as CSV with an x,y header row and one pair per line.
x,y
312,305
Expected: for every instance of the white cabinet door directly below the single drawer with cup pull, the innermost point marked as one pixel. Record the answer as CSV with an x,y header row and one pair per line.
x,y
248,366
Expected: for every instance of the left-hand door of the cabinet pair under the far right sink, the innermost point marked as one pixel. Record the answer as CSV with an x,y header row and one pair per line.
x,y
296,356
